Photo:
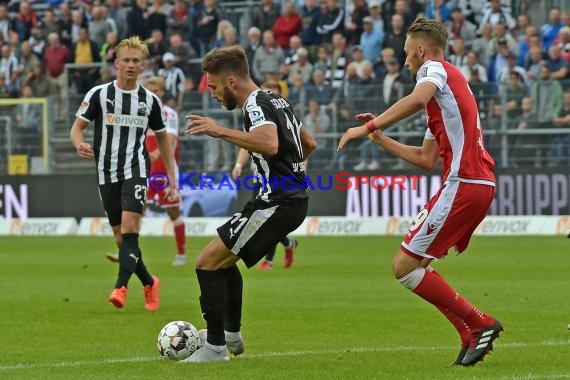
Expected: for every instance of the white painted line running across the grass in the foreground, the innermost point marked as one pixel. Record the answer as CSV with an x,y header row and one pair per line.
x,y
141,359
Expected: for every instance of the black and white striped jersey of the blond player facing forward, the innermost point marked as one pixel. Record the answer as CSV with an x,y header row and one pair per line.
x,y
121,121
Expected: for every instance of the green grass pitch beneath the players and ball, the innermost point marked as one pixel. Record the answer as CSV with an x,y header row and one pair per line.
x,y
336,314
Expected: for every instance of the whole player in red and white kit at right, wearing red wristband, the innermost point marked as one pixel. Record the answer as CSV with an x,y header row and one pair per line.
x,y
450,217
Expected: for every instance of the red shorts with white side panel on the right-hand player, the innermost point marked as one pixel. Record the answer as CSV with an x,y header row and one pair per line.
x,y
448,220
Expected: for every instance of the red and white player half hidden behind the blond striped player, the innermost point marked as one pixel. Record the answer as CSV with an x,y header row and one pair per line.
x,y
156,189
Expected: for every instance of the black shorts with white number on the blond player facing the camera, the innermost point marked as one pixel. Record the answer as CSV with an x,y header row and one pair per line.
x,y
126,195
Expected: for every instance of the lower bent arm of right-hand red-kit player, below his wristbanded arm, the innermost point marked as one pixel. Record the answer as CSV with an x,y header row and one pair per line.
x,y
424,157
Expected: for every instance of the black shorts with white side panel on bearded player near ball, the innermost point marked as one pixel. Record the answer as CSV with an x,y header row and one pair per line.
x,y
260,226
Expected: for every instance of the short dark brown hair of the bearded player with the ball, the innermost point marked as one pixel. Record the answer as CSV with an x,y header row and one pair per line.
x,y
226,60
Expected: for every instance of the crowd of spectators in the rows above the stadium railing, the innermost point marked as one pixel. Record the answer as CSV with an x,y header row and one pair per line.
x,y
332,59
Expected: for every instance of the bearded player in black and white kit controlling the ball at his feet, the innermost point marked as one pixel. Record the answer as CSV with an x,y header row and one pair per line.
x,y
278,145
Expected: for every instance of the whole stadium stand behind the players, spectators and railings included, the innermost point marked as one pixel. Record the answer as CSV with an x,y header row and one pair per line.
x,y
515,55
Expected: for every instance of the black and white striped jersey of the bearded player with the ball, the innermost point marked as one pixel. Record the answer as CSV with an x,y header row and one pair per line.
x,y
282,175
